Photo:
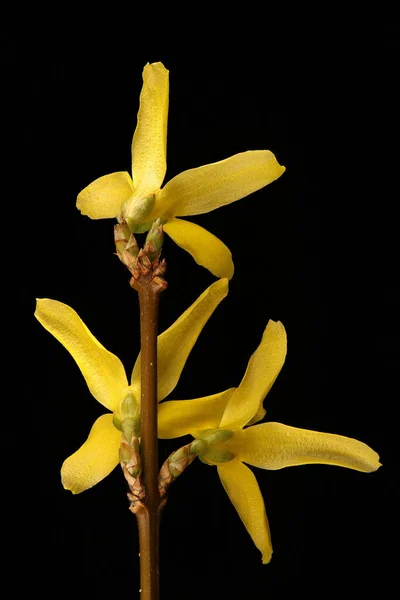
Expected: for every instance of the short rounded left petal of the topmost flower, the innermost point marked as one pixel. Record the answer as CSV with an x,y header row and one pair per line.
x,y
102,199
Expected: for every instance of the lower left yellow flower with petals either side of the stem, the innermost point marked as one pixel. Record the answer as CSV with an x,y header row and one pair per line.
x,y
107,381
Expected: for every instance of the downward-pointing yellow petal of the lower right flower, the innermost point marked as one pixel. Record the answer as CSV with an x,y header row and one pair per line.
x,y
242,488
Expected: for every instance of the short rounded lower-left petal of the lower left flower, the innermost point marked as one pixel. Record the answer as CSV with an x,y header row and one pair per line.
x,y
98,456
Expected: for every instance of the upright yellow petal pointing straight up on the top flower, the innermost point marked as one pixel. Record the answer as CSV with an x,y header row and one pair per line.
x,y
149,145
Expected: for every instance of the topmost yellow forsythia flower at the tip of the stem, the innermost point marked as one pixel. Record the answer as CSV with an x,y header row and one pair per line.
x,y
141,200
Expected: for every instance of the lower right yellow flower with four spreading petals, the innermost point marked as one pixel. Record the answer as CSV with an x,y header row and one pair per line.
x,y
218,424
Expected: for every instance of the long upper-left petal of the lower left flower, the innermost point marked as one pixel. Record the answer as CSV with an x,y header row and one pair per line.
x,y
103,371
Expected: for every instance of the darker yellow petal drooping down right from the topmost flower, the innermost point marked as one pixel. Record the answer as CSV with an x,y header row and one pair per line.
x,y
206,249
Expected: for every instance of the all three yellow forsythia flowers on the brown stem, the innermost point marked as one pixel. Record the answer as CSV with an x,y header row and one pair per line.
x,y
223,425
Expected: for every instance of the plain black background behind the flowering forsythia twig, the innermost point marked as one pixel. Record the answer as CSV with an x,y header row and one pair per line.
x,y
316,250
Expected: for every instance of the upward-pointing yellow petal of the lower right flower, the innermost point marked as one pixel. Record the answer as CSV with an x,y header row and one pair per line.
x,y
262,370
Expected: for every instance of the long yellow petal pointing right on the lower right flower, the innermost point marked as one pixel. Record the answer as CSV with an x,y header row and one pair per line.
x,y
275,446
